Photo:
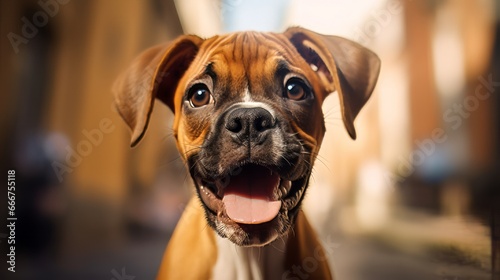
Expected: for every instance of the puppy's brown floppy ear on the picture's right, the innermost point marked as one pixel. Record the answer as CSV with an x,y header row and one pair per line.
x,y
342,65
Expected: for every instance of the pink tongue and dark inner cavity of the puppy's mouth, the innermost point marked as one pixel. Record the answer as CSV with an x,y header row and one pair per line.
x,y
247,197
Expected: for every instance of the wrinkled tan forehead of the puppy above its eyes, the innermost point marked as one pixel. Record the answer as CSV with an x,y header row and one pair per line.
x,y
247,54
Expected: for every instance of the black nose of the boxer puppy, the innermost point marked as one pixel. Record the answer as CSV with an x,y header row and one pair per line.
x,y
249,124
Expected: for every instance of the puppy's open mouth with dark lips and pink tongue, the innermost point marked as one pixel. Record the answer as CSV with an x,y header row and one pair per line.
x,y
250,194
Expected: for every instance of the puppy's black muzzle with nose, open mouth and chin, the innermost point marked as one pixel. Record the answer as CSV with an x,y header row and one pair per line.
x,y
251,174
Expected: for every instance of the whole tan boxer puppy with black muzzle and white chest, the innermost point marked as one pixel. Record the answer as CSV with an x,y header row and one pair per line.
x,y
248,123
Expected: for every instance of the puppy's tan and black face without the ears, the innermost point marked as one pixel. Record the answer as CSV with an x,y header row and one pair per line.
x,y
249,127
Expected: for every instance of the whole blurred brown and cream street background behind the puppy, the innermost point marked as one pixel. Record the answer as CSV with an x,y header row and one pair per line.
x,y
416,196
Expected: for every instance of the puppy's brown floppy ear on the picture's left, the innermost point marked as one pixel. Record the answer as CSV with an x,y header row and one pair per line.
x,y
154,74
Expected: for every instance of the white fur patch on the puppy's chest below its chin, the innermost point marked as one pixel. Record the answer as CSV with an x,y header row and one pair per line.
x,y
246,263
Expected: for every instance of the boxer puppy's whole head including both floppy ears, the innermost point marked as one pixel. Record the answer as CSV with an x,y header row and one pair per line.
x,y
248,117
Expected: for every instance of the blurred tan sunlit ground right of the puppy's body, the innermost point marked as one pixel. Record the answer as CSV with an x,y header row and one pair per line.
x,y
420,247
